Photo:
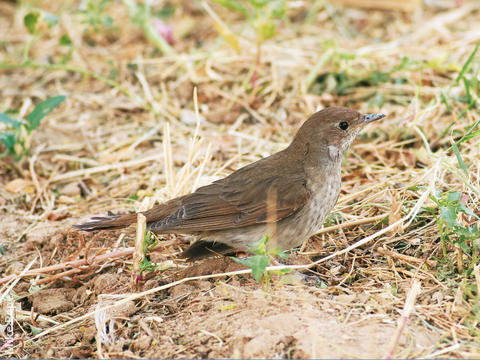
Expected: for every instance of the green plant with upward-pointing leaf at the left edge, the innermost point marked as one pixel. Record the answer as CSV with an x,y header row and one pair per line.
x,y
16,138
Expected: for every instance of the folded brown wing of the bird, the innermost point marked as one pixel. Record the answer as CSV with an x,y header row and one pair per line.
x,y
236,202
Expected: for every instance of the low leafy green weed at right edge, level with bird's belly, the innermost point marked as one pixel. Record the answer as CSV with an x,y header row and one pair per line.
x,y
466,238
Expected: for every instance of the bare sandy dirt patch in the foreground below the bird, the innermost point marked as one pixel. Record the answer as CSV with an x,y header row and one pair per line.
x,y
226,319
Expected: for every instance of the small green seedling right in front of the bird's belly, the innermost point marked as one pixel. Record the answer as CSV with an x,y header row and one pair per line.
x,y
261,259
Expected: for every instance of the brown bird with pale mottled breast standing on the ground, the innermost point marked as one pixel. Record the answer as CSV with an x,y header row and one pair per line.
x,y
291,191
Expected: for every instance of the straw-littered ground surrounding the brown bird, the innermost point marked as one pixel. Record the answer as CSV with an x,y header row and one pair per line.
x,y
143,122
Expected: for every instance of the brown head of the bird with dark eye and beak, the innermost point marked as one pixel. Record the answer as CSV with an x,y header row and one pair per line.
x,y
332,130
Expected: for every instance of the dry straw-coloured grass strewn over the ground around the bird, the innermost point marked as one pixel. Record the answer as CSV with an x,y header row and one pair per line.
x,y
124,143
